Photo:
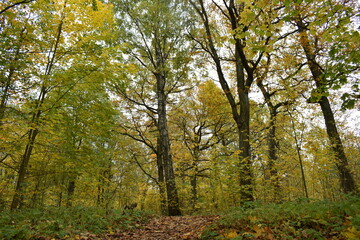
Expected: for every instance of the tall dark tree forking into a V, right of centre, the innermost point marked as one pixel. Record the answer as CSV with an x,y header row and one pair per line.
x,y
246,33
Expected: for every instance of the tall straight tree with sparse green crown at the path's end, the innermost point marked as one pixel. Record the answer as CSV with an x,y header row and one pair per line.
x,y
154,41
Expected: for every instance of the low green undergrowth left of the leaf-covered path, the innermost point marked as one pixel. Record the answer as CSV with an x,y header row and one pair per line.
x,y
66,223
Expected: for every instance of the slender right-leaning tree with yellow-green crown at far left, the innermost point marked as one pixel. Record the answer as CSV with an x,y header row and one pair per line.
x,y
61,40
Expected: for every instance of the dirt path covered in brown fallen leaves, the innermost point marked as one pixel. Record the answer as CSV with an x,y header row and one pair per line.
x,y
168,228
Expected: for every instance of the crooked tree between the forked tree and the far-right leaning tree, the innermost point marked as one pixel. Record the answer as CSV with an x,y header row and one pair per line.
x,y
282,82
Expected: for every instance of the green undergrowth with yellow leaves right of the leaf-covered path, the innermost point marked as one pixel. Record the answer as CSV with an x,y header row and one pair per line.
x,y
302,219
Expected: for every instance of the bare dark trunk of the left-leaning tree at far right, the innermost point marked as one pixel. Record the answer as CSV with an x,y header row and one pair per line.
x,y
347,182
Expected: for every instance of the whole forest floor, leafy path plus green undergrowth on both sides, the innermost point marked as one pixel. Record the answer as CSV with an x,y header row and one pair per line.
x,y
301,219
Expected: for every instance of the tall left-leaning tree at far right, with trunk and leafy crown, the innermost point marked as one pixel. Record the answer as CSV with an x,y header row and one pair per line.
x,y
329,47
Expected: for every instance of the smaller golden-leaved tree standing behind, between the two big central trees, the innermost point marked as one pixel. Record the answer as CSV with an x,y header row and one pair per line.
x,y
198,125
